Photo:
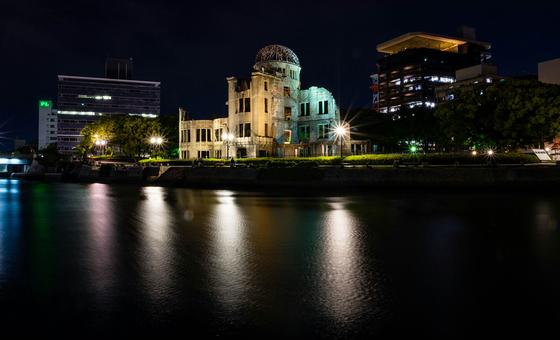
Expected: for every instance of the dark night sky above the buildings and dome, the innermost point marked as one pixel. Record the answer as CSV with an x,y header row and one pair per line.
x,y
191,47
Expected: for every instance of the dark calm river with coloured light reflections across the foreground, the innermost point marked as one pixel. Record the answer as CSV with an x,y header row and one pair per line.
x,y
95,259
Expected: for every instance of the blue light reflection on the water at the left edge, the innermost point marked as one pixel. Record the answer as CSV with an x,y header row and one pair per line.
x,y
9,225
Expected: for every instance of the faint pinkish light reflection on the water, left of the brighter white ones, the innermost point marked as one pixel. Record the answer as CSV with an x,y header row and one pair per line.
x,y
101,240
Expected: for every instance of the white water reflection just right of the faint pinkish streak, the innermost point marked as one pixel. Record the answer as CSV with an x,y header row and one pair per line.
x,y
156,236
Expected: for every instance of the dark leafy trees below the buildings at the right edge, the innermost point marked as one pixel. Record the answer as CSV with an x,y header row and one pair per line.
x,y
507,115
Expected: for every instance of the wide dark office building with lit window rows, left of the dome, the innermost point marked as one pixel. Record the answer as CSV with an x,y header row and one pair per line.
x,y
82,100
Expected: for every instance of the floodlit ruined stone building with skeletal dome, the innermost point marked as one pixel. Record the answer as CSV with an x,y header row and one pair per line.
x,y
268,115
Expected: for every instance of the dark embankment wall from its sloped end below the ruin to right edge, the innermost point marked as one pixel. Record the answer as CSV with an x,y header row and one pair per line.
x,y
361,178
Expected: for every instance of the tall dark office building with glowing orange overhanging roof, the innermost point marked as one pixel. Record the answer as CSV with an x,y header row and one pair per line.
x,y
413,65
